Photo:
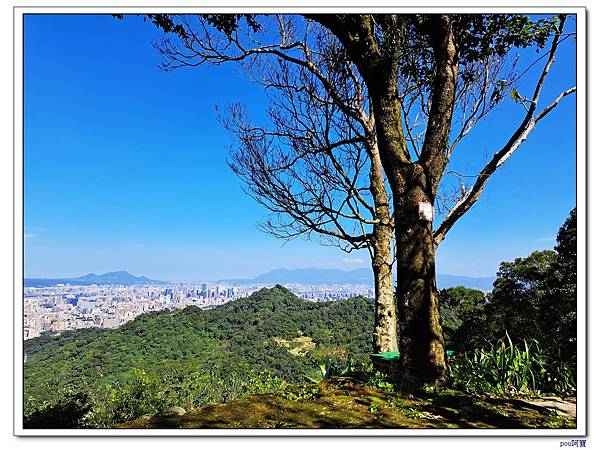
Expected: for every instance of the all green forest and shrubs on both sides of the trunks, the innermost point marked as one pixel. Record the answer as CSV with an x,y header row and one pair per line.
x,y
518,338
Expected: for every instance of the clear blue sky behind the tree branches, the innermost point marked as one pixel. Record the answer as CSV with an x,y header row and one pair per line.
x,y
125,167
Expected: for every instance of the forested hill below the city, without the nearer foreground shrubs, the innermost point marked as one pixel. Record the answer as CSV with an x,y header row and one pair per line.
x,y
272,332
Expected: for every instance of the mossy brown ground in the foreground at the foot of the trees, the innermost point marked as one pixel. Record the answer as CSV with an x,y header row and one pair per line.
x,y
343,402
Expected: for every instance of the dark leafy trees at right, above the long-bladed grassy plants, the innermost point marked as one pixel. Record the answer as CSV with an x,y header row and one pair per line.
x,y
534,298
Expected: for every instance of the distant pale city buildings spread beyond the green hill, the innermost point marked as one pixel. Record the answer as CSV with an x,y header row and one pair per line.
x,y
69,307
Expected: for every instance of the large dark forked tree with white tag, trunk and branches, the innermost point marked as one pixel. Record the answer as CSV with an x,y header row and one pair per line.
x,y
415,70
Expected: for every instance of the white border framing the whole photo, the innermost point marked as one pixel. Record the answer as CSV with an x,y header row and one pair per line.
x,y
263,7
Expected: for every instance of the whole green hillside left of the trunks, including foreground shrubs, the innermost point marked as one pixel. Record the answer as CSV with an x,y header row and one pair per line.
x,y
189,357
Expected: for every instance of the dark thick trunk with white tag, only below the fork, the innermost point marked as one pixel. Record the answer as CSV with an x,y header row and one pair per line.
x,y
422,341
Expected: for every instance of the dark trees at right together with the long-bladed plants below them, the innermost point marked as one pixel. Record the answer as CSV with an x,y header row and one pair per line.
x,y
533,302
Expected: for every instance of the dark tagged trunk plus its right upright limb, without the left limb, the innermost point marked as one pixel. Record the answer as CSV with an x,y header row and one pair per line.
x,y
423,353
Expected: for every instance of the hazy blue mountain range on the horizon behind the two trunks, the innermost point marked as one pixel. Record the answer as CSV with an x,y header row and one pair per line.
x,y
357,276
